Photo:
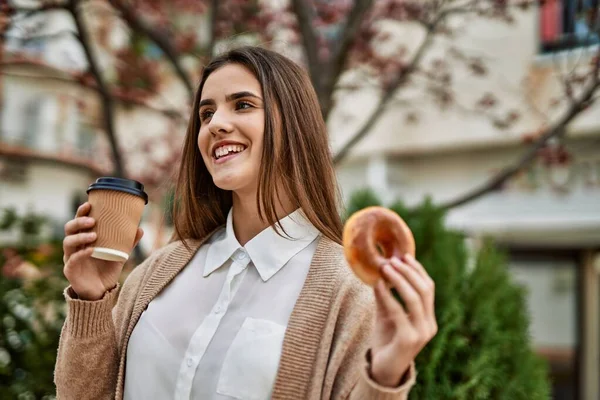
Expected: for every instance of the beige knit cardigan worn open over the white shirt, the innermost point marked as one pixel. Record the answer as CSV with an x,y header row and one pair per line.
x,y
324,348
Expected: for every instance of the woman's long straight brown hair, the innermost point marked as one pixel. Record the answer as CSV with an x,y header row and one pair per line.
x,y
295,153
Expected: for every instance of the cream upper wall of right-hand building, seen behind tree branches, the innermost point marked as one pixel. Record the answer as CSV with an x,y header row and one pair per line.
x,y
518,76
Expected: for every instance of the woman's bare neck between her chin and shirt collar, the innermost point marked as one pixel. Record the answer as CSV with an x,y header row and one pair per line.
x,y
246,222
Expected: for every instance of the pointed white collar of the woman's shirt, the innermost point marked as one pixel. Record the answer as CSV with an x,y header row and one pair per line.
x,y
268,250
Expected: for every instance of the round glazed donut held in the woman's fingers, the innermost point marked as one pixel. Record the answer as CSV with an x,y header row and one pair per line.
x,y
371,237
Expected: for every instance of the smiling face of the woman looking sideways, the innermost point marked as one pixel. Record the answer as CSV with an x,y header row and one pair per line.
x,y
232,120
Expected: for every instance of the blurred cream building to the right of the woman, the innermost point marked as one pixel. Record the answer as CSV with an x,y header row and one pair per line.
x,y
548,216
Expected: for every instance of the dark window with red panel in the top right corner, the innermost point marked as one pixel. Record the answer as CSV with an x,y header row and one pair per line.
x,y
568,24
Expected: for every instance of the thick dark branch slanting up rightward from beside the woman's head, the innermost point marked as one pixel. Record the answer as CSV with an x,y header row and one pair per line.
x,y
342,50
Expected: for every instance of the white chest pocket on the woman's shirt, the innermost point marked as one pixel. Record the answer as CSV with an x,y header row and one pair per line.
x,y
252,360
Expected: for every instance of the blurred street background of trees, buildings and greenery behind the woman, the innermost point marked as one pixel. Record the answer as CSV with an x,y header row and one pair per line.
x,y
475,119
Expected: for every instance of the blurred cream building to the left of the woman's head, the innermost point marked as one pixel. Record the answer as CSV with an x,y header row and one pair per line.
x,y
53,142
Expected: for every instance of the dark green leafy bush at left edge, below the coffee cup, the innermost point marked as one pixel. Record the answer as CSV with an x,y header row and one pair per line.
x,y
31,311
